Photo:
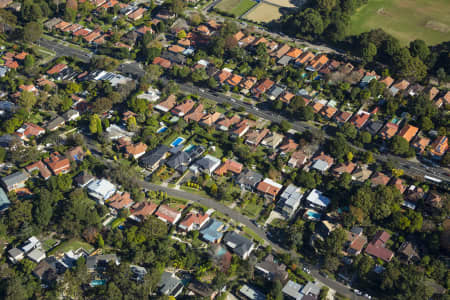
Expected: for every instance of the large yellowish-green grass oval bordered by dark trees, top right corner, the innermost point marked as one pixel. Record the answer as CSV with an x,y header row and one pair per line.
x,y
407,20
